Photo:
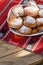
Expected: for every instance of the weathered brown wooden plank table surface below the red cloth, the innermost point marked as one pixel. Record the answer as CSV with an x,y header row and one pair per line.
x,y
12,55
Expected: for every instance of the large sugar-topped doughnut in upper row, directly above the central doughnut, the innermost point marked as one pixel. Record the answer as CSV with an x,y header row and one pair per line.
x,y
31,11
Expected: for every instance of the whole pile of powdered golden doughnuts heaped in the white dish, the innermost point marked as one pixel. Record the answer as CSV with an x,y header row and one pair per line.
x,y
26,19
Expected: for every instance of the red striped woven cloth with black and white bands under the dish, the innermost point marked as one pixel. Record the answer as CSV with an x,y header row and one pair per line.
x,y
34,44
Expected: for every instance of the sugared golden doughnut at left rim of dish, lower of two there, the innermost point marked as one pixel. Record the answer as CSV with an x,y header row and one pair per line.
x,y
15,22
